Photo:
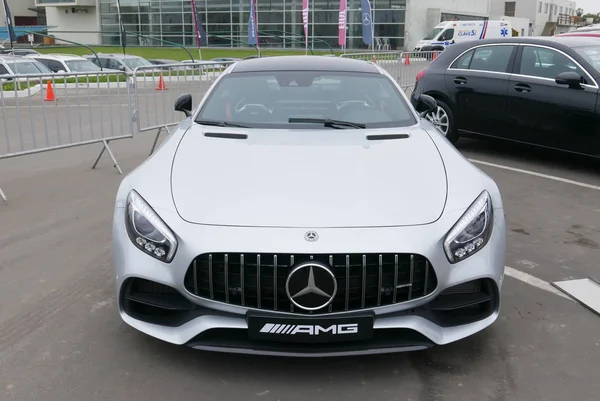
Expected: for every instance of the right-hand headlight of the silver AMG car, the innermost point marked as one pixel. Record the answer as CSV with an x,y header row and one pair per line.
x,y
472,231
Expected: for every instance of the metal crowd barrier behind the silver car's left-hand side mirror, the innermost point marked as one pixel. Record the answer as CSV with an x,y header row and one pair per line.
x,y
155,89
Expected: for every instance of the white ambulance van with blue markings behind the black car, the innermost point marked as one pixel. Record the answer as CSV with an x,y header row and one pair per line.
x,y
449,32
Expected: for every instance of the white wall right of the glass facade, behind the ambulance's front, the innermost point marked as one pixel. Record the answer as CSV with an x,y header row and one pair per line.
x,y
423,15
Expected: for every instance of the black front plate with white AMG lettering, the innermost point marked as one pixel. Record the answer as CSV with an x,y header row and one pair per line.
x,y
310,329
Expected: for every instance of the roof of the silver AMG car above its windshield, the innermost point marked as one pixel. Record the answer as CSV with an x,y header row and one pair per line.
x,y
304,63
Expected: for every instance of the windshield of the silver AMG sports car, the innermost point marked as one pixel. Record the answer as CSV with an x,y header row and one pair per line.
x,y
282,99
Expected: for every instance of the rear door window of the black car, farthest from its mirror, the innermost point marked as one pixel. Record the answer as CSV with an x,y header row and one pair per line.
x,y
487,58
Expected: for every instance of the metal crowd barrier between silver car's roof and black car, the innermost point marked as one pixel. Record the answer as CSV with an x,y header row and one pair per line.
x,y
403,66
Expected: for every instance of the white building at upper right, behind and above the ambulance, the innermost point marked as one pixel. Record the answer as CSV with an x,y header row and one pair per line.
x,y
547,17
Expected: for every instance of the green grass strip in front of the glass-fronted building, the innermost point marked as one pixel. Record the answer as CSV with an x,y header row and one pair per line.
x,y
174,53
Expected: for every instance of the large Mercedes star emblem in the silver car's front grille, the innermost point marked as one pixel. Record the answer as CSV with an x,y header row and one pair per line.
x,y
311,286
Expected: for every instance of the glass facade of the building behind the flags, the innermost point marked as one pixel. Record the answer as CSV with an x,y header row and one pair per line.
x,y
226,22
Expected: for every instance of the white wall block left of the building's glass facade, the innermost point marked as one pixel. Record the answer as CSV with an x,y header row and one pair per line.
x,y
83,27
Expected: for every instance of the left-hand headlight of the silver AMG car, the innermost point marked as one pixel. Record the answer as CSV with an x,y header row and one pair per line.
x,y
147,231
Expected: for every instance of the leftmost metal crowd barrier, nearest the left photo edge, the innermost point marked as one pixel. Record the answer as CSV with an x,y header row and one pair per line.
x,y
46,112
